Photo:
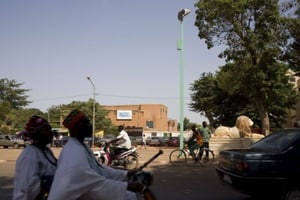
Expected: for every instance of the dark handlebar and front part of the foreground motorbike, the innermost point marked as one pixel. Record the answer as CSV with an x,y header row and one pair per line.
x,y
146,179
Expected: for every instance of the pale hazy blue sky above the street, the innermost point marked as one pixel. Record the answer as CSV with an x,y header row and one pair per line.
x,y
127,47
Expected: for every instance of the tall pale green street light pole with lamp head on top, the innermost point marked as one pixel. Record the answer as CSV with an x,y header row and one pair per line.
x,y
181,15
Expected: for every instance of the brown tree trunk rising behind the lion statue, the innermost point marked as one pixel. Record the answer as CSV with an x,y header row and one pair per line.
x,y
265,122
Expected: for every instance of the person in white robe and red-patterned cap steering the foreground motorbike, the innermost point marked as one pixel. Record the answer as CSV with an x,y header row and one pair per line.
x,y
80,176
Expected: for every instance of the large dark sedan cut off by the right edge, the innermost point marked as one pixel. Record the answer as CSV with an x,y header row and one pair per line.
x,y
270,168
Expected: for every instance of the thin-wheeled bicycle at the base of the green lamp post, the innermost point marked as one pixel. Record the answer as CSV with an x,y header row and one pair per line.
x,y
179,157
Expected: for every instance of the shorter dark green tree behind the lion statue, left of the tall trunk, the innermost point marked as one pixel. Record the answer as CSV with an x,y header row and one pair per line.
x,y
216,104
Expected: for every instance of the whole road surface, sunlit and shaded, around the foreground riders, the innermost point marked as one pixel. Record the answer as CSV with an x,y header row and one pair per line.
x,y
190,182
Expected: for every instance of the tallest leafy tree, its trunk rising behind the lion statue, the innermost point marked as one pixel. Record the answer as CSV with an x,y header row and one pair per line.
x,y
254,34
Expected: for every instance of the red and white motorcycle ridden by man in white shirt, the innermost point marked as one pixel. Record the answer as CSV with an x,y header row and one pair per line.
x,y
124,158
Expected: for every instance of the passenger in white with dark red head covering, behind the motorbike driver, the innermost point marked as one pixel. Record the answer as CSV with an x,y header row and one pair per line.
x,y
36,165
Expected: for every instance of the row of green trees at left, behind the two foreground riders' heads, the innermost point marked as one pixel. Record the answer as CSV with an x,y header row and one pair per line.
x,y
13,115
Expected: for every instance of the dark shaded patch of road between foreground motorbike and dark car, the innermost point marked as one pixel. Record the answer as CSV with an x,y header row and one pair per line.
x,y
190,182
